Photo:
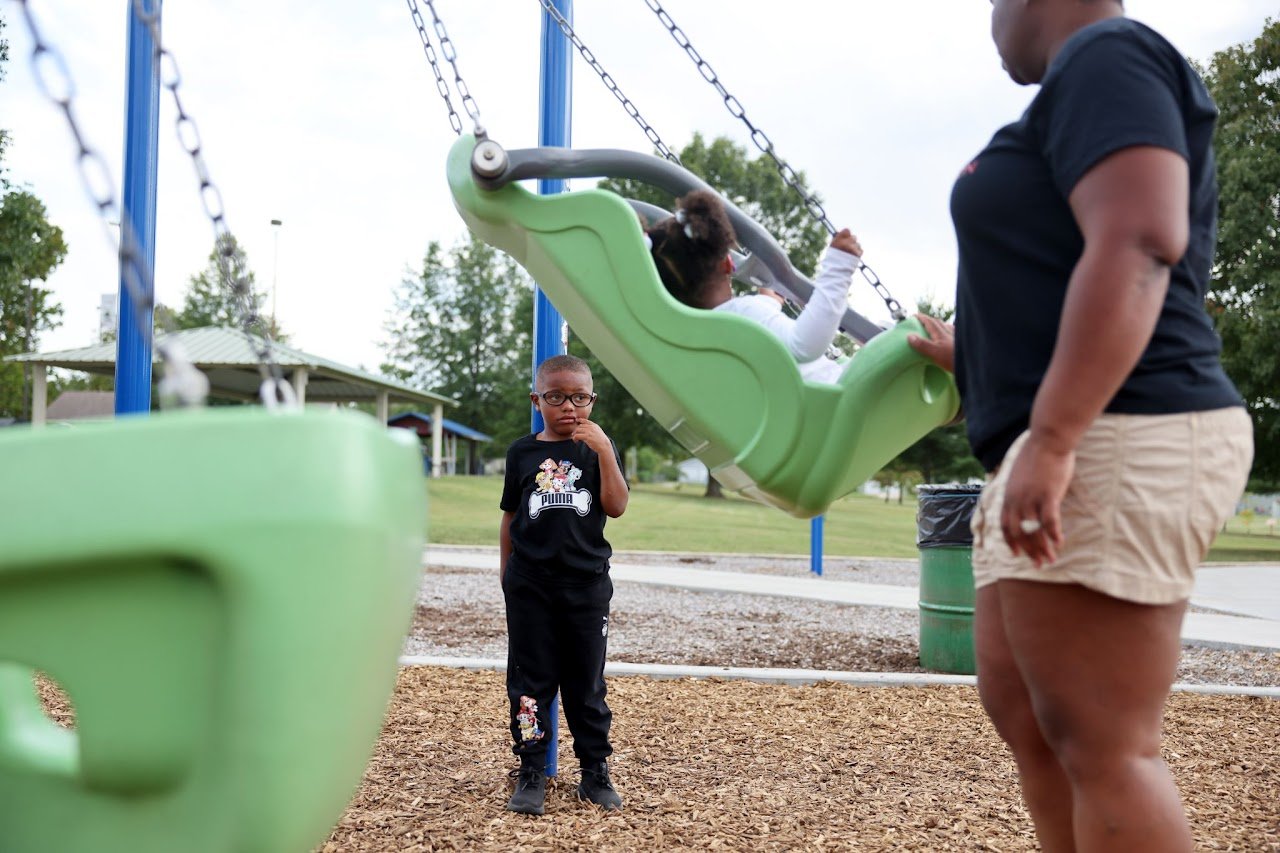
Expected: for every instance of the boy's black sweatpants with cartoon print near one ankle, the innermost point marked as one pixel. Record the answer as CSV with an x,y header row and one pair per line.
x,y
556,640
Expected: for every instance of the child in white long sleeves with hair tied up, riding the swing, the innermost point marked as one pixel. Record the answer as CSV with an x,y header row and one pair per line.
x,y
691,252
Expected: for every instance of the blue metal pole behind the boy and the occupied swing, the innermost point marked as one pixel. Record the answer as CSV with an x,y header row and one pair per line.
x,y
555,103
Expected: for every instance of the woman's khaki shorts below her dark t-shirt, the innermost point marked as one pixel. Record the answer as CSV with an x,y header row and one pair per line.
x,y
1149,495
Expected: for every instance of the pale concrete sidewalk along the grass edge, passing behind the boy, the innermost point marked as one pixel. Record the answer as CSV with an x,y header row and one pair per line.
x,y
1249,595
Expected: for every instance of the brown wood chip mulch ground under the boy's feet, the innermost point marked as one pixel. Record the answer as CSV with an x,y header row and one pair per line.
x,y
743,767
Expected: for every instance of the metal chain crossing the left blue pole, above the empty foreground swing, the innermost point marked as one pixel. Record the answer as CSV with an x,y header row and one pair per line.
x,y
275,391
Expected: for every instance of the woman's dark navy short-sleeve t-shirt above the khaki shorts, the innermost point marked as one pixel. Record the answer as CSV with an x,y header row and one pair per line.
x,y
1114,85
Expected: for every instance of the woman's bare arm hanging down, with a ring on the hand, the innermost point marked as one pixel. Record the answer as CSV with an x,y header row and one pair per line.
x,y
1132,209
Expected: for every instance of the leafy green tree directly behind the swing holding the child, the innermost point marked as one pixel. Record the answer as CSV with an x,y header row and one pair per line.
x,y
755,186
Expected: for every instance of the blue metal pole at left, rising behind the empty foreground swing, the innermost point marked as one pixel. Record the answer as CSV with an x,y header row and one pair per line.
x,y
141,167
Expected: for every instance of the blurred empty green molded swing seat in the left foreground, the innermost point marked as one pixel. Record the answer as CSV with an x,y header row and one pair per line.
x,y
223,595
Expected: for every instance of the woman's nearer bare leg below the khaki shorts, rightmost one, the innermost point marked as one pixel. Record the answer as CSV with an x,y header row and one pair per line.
x,y
1099,672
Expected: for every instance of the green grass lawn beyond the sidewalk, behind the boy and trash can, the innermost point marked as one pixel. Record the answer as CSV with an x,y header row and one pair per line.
x,y
464,510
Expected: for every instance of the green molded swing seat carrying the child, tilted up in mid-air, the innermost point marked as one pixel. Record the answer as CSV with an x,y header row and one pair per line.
x,y
725,387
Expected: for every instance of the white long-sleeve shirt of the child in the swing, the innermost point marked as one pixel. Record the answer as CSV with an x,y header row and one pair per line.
x,y
808,336
